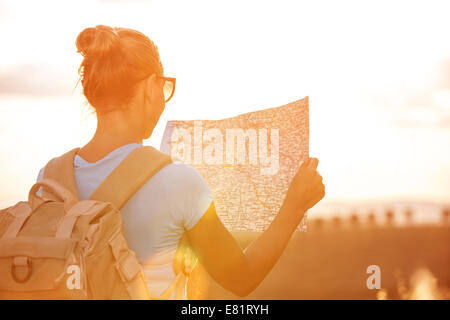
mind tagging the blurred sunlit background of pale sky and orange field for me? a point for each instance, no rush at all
(378, 78)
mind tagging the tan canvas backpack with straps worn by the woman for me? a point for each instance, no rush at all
(57, 247)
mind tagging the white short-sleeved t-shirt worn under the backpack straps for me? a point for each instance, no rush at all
(155, 217)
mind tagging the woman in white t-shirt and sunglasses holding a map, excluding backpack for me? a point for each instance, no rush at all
(122, 78)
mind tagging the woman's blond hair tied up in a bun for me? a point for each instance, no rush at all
(115, 60)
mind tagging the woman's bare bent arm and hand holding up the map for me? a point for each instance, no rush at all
(242, 271)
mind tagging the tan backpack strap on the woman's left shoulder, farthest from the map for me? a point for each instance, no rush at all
(61, 170)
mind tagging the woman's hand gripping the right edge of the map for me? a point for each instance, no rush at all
(306, 189)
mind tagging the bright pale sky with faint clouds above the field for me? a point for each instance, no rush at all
(377, 75)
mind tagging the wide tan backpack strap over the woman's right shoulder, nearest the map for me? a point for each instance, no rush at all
(131, 174)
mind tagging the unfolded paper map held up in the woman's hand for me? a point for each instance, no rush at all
(248, 161)
